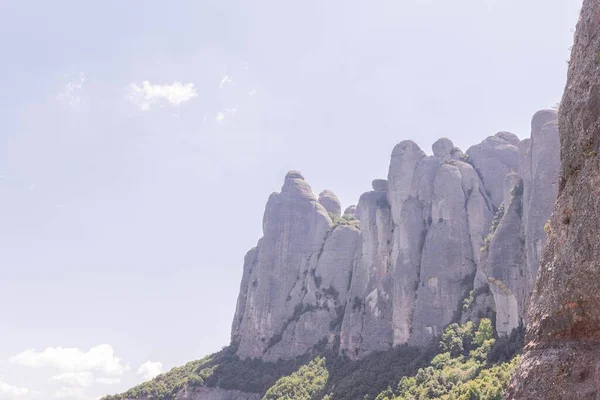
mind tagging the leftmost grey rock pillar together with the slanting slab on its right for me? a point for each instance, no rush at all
(295, 281)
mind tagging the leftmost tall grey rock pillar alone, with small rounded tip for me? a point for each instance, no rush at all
(295, 227)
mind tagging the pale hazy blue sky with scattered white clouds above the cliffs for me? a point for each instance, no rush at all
(140, 140)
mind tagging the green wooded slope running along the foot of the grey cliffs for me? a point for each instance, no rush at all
(466, 364)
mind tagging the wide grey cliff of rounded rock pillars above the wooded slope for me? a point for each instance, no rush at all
(408, 259)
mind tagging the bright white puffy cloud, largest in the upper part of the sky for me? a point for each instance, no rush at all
(148, 95)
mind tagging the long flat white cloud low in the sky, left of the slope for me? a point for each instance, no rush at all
(100, 358)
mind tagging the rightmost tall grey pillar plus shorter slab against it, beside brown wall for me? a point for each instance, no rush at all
(514, 246)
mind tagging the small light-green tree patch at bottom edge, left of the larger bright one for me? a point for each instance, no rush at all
(302, 384)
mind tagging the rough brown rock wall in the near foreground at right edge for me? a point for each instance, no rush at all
(562, 358)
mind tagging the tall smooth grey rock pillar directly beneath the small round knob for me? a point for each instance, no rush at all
(447, 264)
